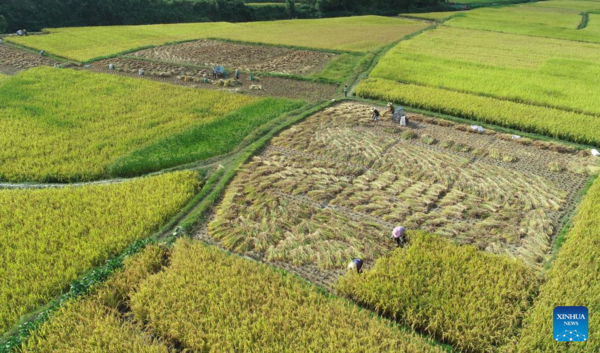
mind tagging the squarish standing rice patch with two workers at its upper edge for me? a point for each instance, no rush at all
(458, 294)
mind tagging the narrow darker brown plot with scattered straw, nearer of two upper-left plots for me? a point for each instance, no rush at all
(263, 86)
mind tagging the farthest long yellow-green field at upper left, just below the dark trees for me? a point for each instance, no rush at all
(358, 34)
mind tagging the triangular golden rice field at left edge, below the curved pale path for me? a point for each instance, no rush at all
(51, 236)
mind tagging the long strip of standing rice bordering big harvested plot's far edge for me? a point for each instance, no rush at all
(557, 123)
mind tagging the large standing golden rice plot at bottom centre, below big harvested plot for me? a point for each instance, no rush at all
(210, 301)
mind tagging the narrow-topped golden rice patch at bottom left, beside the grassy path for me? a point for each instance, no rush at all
(95, 323)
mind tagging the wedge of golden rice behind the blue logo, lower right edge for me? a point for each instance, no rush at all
(573, 280)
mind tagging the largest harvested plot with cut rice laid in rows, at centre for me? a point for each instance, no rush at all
(333, 187)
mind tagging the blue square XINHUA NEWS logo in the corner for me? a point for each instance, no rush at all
(571, 324)
